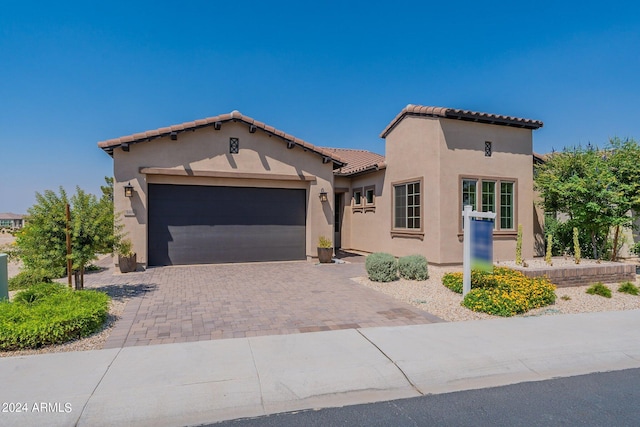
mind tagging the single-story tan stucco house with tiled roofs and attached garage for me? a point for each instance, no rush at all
(232, 189)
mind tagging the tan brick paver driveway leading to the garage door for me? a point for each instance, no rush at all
(204, 302)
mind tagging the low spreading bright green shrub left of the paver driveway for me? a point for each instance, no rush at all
(56, 315)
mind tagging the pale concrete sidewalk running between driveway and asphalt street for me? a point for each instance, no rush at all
(208, 381)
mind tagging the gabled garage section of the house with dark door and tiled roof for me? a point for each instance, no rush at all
(222, 189)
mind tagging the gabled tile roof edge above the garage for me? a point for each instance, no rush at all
(215, 121)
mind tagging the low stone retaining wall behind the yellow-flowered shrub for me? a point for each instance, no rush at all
(580, 275)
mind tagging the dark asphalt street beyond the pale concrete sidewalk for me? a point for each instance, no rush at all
(600, 399)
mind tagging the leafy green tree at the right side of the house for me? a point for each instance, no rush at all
(597, 189)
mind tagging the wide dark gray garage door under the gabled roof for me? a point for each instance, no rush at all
(191, 224)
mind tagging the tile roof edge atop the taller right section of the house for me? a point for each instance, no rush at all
(451, 113)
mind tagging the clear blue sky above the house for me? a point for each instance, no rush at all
(332, 73)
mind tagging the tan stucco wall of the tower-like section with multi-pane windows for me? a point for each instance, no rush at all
(439, 152)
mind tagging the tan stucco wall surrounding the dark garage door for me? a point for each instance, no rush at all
(208, 150)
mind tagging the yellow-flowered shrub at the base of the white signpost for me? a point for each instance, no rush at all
(504, 292)
